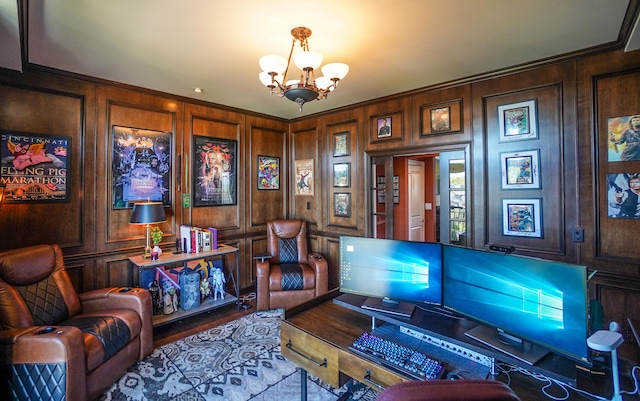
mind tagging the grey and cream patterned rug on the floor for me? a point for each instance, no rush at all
(237, 361)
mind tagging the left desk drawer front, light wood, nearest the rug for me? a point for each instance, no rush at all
(310, 353)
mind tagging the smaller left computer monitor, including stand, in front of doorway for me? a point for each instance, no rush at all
(394, 274)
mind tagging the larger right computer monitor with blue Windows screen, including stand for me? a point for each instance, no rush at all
(527, 306)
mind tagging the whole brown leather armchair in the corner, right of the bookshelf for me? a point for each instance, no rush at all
(288, 275)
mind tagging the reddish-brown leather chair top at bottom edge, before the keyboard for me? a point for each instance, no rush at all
(449, 390)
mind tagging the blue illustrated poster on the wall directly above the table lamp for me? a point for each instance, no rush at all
(141, 166)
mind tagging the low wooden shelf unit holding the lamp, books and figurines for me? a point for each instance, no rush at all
(170, 259)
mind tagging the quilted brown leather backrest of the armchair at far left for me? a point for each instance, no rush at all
(35, 288)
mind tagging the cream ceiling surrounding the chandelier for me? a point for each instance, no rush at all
(391, 46)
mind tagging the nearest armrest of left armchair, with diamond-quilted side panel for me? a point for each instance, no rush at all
(36, 351)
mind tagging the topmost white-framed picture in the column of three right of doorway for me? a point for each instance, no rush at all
(518, 121)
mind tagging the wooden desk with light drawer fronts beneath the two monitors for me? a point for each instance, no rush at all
(316, 337)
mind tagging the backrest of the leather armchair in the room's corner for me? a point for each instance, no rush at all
(287, 241)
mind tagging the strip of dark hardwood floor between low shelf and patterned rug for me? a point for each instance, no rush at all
(182, 328)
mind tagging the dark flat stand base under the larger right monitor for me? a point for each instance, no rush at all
(524, 351)
